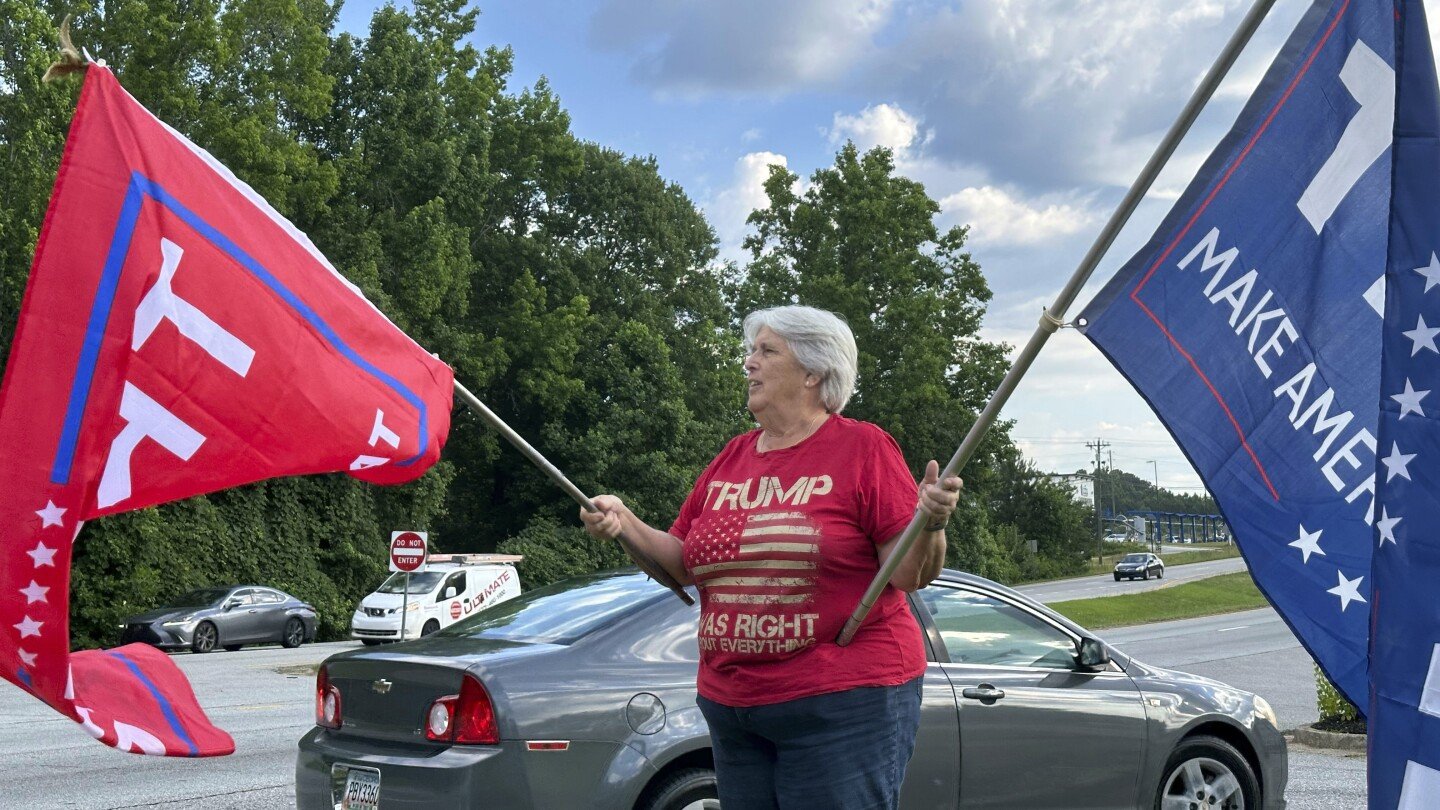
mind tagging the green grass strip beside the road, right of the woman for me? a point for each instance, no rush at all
(1228, 593)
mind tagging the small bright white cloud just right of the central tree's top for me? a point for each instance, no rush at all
(1000, 218)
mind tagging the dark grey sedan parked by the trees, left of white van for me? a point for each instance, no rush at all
(230, 616)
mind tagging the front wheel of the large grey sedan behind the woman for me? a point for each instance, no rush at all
(1207, 772)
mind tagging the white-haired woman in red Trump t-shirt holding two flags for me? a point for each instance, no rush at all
(783, 535)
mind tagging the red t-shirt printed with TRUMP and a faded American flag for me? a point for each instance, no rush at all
(783, 546)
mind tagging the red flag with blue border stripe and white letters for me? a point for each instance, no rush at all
(178, 338)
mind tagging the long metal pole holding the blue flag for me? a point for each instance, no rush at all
(1052, 319)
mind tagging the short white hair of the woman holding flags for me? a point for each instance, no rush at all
(822, 344)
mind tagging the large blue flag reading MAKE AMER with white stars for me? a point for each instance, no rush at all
(1278, 325)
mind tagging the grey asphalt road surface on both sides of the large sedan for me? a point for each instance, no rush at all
(266, 697)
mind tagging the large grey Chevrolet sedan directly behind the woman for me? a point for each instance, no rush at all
(582, 694)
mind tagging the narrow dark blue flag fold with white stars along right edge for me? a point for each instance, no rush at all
(1405, 652)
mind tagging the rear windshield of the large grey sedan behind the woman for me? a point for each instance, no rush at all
(564, 612)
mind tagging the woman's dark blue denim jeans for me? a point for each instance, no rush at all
(845, 752)
